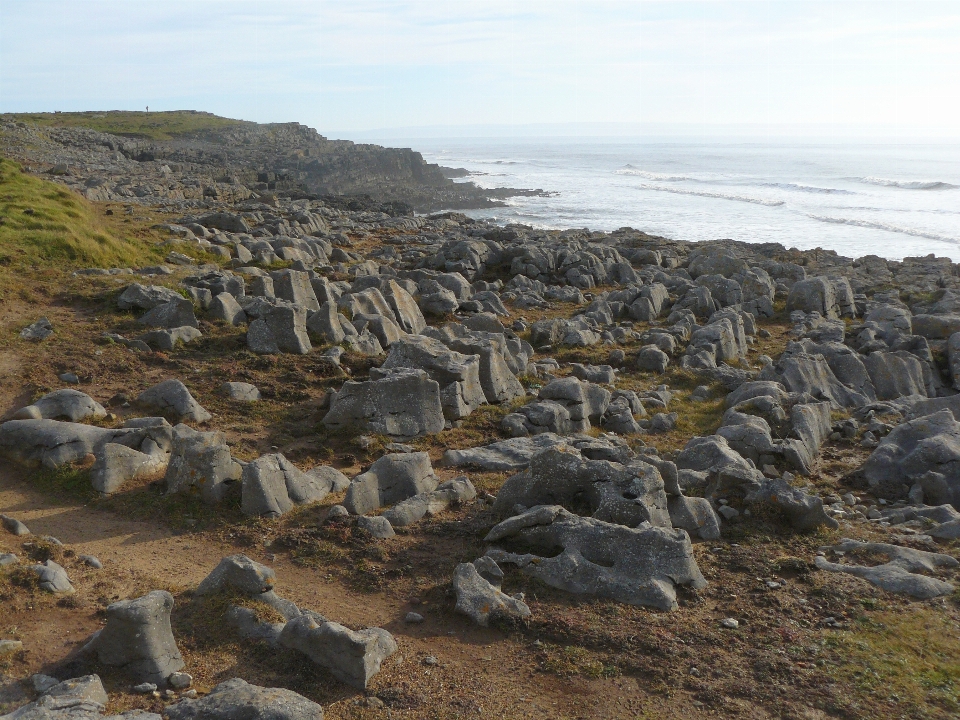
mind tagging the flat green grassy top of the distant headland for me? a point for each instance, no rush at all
(146, 125)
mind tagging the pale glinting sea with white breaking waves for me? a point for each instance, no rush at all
(892, 200)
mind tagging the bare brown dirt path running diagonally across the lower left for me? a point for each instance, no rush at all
(478, 670)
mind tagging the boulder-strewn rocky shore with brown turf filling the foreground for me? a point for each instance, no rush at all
(698, 476)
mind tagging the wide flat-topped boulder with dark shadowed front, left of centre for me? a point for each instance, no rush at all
(403, 403)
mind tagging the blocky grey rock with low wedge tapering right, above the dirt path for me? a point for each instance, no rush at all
(272, 485)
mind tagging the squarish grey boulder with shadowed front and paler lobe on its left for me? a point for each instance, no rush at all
(391, 479)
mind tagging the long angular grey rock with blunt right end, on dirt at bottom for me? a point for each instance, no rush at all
(353, 657)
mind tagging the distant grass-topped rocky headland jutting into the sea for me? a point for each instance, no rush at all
(200, 158)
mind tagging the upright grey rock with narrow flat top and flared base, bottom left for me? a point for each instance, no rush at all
(138, 638)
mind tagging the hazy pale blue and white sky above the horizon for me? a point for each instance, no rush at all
(353, 65)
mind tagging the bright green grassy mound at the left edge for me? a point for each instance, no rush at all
(43, 224)
